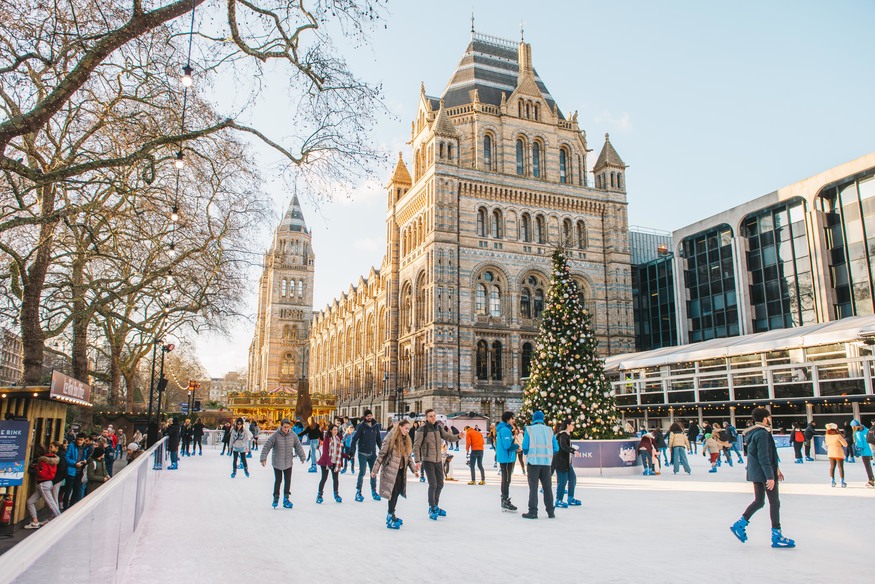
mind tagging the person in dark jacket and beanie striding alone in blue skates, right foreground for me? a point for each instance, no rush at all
(763, 472)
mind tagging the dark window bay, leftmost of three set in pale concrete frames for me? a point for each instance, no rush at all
(709, 278)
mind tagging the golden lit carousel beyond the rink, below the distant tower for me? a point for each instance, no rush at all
(269, 407)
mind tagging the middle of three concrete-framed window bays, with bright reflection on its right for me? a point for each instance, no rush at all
(779, 267)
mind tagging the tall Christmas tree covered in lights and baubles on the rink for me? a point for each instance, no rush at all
(567, 375)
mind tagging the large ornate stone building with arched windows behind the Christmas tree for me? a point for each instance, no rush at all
(450, 319)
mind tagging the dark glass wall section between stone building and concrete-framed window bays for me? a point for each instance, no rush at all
(653, 304)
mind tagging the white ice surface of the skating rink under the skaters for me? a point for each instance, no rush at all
(206, 527)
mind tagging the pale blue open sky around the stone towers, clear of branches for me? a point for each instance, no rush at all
(710, 104)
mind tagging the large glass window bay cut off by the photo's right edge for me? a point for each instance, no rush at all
(849, 210)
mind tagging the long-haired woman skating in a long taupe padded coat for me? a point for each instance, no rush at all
(392, 463)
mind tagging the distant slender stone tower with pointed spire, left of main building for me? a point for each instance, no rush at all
(278, 352)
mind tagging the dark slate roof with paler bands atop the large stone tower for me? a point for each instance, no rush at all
(491, 66)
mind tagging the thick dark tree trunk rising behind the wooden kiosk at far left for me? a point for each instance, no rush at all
(32, 335)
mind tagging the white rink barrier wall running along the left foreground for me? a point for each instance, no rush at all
(94, 539)
